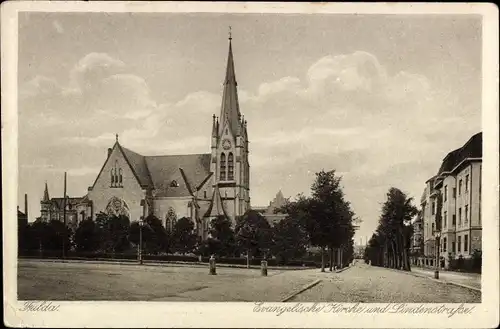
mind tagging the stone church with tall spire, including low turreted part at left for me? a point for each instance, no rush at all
(197, 186)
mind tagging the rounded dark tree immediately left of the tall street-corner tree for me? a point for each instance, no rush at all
(289, 240)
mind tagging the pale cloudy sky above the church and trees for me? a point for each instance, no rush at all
(381, 99)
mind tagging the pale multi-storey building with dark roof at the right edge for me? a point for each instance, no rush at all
(459, 182)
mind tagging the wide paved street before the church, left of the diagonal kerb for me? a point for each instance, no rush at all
(40, 280)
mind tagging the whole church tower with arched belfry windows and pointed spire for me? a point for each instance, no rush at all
(230, 148)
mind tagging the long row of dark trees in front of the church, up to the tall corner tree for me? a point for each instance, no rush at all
(324, 220)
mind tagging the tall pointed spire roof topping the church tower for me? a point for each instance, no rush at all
(230, 108)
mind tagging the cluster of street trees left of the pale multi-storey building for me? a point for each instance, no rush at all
(390, 244)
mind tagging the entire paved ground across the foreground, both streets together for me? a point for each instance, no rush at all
(91, 281)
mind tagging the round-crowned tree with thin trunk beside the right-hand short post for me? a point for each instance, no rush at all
(253, 233)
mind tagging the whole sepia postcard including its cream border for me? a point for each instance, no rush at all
(259, 157)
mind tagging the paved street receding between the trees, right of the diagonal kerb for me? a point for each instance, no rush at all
(370, 284)
